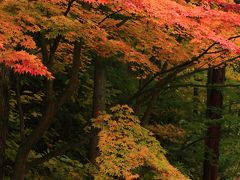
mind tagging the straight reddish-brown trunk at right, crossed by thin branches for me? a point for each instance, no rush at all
(214, 111)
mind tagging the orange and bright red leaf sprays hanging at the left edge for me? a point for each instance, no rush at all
(21, 62)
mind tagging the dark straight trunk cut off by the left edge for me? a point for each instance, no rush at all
(4, 89)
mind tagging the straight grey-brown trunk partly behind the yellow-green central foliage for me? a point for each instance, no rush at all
(99, 99)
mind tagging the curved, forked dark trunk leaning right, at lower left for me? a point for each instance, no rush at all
(53, 105)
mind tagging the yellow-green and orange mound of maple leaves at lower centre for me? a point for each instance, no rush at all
(125, 146)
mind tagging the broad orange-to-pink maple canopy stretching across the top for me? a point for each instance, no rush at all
(168, 30)
